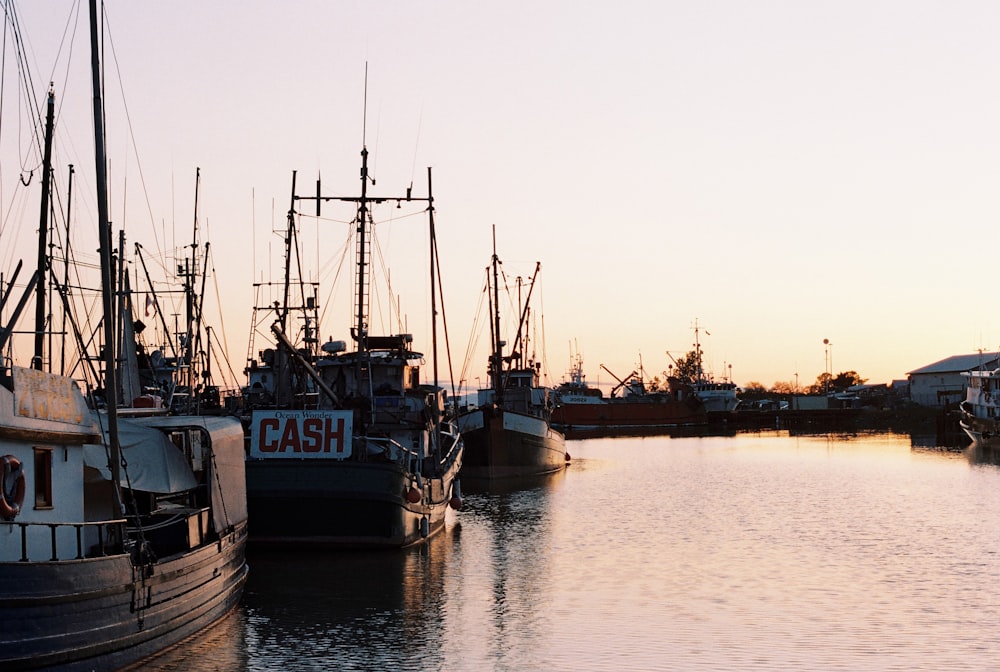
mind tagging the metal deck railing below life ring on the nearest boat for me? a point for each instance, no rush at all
(109, 535)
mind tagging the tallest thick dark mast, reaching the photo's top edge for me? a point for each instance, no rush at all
(107, 277)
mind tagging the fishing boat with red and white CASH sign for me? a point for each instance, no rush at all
(347, 447)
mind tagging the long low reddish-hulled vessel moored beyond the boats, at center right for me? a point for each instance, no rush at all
(582, 410)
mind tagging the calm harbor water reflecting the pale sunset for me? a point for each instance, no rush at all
(747, 552)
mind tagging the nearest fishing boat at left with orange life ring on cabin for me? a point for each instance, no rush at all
(119, 536)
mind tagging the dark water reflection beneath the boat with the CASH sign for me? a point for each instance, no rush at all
(349, 609)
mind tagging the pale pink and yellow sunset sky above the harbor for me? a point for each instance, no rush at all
(779, 172)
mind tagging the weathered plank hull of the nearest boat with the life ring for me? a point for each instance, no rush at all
(100, 613)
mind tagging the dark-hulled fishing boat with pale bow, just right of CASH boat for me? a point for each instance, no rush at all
(508, 434)
